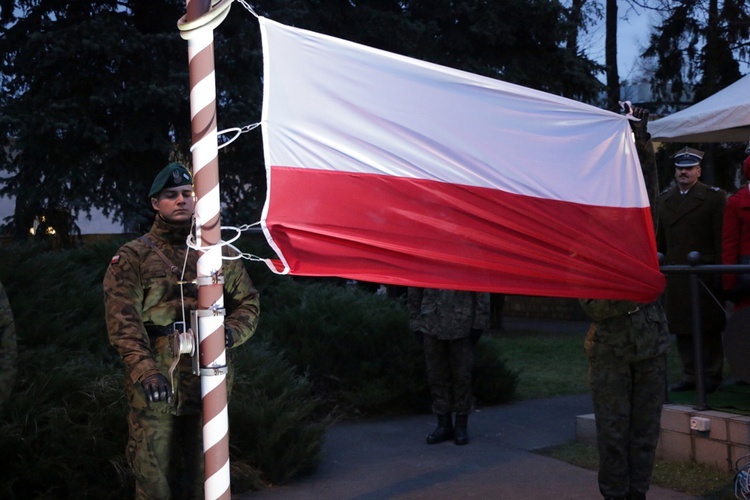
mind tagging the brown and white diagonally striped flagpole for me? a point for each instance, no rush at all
(197, 28)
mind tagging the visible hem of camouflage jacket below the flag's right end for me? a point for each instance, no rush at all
(625, 331)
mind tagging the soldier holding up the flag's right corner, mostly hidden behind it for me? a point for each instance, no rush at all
(627, 349)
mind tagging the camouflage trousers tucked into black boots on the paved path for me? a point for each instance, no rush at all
(449, 367)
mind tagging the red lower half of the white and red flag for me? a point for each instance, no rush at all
(415, 232)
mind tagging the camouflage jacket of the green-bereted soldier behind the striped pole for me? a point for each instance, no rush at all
(140, 289)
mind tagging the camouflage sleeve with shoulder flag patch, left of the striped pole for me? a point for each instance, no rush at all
(123, 306)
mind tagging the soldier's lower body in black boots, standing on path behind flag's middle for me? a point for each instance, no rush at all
(449, 322)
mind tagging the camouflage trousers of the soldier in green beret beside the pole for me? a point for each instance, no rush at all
(165, 453)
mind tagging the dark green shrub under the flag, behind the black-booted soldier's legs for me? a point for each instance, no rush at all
(356, 348)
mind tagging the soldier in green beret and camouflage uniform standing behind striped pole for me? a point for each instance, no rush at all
(144, 298)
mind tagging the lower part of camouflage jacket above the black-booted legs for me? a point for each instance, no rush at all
(447, 314)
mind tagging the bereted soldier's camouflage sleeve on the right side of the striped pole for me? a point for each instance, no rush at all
(241, 300)
